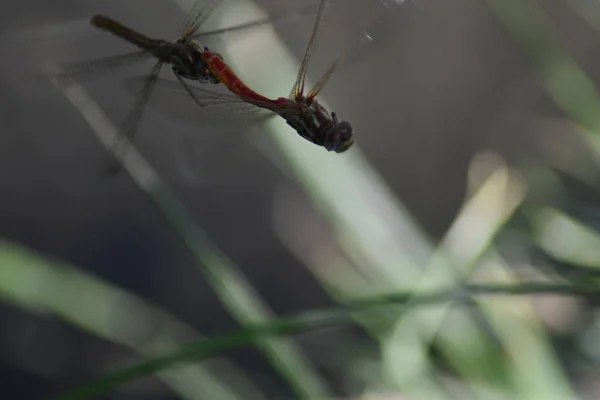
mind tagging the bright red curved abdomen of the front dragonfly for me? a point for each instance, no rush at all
(228, 78)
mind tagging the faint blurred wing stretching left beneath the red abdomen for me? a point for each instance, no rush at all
(212, 106)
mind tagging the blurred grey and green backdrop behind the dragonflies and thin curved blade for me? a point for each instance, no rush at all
(476, 162)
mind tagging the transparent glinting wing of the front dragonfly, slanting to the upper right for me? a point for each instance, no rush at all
(386, 14)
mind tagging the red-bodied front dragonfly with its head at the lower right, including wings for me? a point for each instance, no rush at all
(301, 110)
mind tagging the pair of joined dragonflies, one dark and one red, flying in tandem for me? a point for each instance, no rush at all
(191, 61)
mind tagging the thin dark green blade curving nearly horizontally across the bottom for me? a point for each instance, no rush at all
(314, 320)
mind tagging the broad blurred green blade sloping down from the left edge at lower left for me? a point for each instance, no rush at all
(40, 285)
